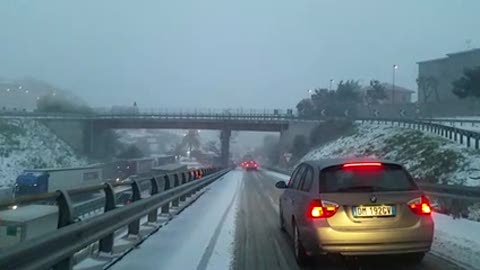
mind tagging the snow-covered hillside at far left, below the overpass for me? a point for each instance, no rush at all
(27, 144)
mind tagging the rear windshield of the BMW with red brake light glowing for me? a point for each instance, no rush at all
(387, 177)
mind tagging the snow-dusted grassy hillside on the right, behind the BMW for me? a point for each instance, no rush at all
(426, 155)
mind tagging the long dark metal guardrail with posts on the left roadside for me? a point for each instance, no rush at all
(57, 250)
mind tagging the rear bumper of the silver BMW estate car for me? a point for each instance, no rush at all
(323, 240)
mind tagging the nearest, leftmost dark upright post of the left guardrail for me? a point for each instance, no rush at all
(65, 218)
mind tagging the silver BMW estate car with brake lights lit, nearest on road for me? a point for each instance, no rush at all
(355, 208)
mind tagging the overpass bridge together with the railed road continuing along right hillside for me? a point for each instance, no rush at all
(86, 132)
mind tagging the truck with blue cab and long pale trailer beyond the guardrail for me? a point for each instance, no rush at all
(46, 180)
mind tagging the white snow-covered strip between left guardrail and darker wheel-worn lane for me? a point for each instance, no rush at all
(198, 238)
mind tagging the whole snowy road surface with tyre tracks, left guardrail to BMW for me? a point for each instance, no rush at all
(234, 225)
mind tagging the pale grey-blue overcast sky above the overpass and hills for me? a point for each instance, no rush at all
(224, 53)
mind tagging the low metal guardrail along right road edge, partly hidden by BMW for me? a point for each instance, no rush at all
(437, 190)
